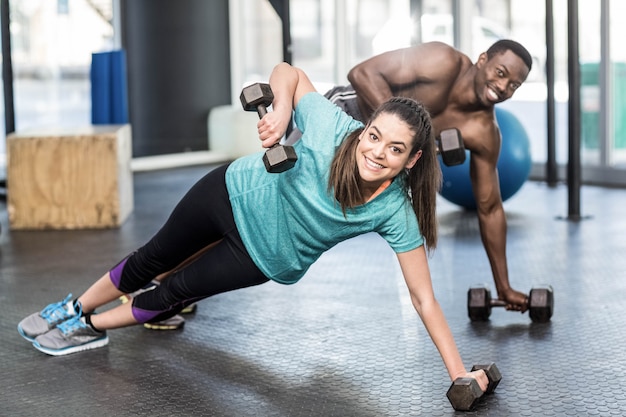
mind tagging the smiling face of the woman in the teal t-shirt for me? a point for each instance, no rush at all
(384, 150)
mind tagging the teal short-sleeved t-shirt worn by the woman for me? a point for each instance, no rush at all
(287, 220)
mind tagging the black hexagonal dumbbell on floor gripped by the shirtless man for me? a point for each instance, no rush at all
(540, 303)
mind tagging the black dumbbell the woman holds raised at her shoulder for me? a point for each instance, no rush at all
(258, 97)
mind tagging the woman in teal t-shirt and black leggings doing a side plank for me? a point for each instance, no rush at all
(349, 179)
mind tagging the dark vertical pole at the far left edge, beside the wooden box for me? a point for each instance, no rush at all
(7, 67)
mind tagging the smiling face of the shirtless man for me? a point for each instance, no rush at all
(499, 77)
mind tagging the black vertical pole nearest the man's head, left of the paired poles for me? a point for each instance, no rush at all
(551, 165)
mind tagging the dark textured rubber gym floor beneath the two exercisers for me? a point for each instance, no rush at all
(344, 341)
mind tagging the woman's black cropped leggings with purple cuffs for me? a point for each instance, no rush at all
(203, 217)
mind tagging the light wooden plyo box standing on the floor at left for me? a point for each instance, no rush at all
(76, 178)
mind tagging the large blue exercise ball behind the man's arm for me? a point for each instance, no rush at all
(513, 165)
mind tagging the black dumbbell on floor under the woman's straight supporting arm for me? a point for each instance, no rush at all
(464, 393)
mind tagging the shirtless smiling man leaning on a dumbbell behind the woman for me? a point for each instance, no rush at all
(461, 94)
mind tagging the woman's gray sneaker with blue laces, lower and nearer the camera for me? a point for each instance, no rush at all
(73, 335)
